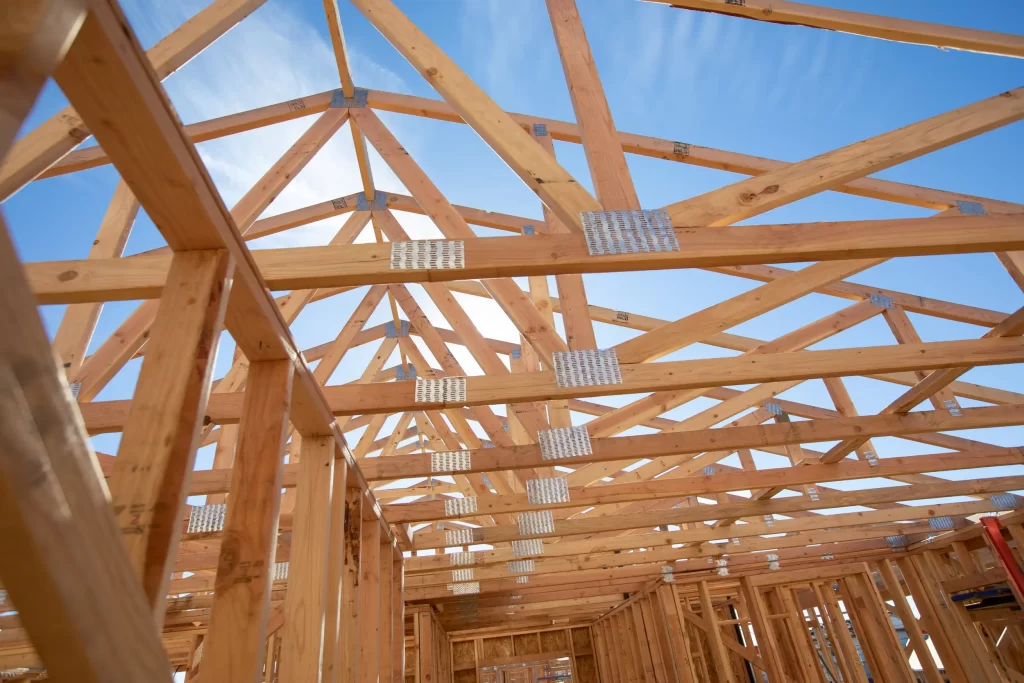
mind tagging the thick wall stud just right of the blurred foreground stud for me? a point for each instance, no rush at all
(158, 447)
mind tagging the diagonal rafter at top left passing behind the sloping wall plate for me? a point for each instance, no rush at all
(47, 145)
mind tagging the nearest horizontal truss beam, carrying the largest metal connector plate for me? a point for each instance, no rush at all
(312, 268)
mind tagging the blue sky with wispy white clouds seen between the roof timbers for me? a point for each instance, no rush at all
(782, 93)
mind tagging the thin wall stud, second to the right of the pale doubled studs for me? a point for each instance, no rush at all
(370, 599)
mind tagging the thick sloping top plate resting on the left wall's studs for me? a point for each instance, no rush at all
(106, 66)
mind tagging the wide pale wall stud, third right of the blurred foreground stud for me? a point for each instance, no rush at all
(306, 602)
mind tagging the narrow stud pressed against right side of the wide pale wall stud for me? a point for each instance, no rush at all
(335, 567)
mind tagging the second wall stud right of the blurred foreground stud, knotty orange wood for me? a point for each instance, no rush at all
(238, 625)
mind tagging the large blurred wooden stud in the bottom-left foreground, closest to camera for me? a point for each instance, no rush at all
(62, 559)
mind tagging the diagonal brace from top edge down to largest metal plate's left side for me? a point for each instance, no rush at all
(541, 174)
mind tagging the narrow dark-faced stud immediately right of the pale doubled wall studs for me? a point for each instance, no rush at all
(349, 626)
